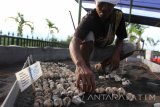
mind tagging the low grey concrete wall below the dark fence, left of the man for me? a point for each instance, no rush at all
(15, 54)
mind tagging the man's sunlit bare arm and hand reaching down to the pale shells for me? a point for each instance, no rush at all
(83, 72)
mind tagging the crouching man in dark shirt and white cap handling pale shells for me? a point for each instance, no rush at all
(93, 39)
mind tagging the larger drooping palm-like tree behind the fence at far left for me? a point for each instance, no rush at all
(19, 19)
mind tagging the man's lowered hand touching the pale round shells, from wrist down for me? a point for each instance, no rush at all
(85, 79)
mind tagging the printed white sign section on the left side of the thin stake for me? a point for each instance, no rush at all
(24, 79)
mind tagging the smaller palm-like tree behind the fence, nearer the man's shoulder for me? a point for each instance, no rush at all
(52, 28)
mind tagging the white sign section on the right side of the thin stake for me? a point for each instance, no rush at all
(35, 70)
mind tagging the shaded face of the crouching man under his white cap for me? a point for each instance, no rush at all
(104, 9)
